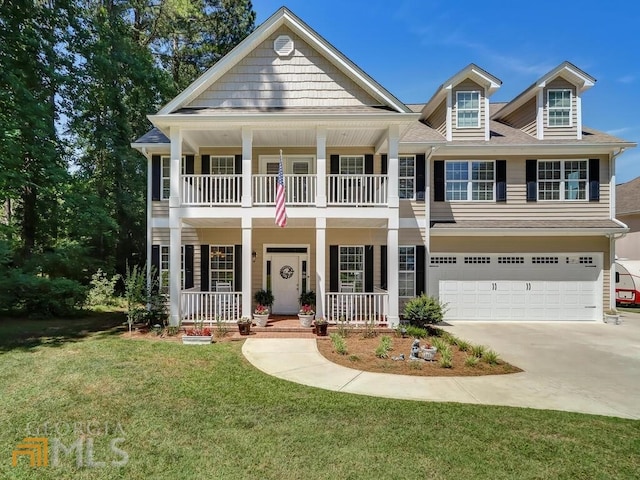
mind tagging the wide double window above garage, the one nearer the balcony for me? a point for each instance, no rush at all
(470, 180)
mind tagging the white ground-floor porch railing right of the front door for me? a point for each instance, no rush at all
(357, 308)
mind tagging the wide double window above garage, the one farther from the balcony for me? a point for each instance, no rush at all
(562, 179)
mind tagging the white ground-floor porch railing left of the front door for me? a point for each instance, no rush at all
(209, 307)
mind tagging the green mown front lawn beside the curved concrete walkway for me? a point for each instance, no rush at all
(205, 412)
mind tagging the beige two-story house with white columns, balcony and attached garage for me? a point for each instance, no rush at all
(503, 210)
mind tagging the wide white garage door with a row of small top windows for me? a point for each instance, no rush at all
(534, 286)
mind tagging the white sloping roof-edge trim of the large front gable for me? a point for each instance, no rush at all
(285, 17)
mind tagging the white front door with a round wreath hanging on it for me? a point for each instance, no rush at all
(285, 281)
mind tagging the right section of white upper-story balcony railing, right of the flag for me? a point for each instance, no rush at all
(360, 190)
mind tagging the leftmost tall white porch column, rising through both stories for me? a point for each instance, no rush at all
(175, 226)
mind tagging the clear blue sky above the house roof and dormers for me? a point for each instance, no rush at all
(412, 46)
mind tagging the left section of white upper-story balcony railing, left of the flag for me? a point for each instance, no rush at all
(211, 189)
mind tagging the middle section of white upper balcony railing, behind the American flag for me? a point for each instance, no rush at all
(299, 189)
